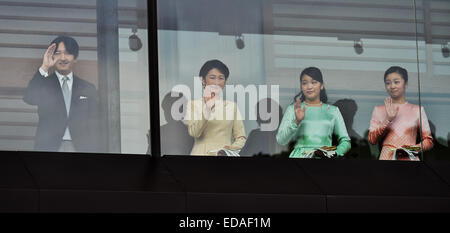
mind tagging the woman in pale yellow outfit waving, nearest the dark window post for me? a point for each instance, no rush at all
(212, 121)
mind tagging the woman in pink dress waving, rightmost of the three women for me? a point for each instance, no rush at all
(397, 122)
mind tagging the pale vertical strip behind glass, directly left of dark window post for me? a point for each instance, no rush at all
(134, 79)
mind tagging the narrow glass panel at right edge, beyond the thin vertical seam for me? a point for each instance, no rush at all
(435, 78)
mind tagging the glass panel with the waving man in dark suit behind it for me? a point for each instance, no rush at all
(106, 103)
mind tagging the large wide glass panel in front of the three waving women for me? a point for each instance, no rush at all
(266, 45)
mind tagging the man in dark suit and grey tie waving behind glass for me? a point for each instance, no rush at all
(67, 105)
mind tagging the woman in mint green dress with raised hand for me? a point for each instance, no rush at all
(310, 121)
